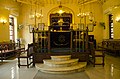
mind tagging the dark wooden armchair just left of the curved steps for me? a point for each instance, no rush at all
(28, 57)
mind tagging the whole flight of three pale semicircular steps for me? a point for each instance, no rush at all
(61, 65)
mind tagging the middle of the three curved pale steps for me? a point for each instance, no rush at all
(67, 63)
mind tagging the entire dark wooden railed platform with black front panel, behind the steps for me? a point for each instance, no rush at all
(60, 39)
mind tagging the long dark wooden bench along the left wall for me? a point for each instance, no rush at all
(8, 50)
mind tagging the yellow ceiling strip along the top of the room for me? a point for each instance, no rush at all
(44, 2)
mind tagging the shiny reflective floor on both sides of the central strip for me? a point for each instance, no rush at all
(10, 70)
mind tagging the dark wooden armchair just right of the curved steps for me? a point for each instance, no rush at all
(96, 53)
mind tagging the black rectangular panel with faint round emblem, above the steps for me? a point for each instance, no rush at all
(60, 39)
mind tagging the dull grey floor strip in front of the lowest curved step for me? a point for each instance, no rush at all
(77, 75)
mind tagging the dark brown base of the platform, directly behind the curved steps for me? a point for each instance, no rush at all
(82, 56)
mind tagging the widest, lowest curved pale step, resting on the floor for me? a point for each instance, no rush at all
(62, 70)
